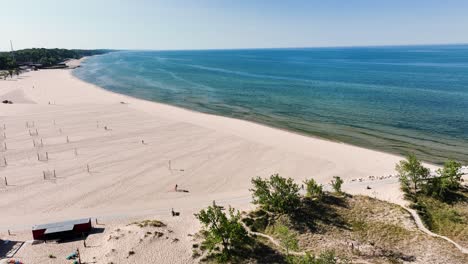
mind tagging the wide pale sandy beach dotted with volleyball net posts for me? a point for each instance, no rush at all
(137, 151)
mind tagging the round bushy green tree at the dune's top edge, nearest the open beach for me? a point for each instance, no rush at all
(276, 195)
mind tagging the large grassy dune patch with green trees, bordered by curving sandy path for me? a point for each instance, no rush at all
(319, 227)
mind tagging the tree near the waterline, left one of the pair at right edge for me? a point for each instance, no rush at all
(411, 173)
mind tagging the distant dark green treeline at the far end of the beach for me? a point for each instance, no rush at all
(46, 57)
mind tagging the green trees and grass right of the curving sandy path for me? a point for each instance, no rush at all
(441, 200)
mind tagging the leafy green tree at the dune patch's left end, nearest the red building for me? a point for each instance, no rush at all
(223, 230)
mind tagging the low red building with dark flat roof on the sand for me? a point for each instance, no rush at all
(62, 230)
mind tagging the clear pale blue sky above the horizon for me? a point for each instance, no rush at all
(206, 24)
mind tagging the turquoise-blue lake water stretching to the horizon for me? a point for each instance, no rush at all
(394, 99)
